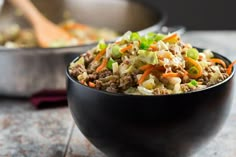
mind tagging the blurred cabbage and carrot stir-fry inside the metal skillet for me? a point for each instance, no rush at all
(16, 37)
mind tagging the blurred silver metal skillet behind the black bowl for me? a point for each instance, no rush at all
(29, 70)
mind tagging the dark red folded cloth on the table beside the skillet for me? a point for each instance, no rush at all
(49, 98)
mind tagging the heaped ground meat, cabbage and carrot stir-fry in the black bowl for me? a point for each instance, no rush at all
(154, 64)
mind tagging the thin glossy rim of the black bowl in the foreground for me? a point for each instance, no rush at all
(70, 78)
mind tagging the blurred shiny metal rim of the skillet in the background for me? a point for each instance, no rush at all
(156, 26)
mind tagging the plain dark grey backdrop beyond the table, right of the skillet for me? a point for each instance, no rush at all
(198, 14)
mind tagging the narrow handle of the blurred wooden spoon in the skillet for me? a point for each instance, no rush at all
(29, 10)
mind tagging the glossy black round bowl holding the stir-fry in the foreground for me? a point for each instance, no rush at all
(153, 126)
